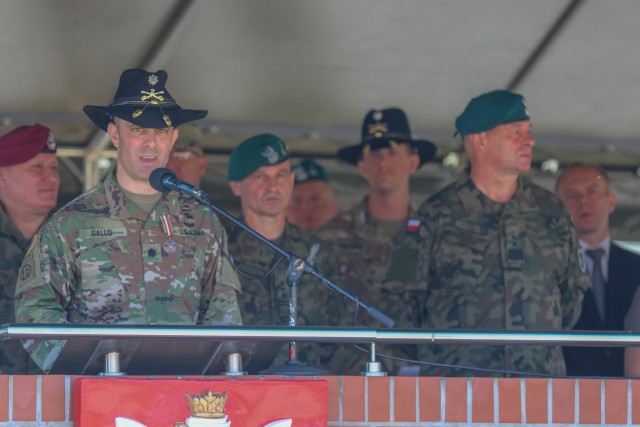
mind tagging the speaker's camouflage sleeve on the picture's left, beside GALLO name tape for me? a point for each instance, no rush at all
(43, 291)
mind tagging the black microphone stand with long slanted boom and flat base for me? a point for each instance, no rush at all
(295, 269)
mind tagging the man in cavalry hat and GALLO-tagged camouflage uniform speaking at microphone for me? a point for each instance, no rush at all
(123, 253)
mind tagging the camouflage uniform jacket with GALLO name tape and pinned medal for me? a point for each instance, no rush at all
(102, 260)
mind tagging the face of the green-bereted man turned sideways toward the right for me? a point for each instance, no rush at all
(510, 147)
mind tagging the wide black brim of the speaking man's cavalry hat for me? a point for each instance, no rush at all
(152, 117)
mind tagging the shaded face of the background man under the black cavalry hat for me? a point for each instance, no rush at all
(388, 169)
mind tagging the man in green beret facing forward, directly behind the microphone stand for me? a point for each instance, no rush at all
(260, 174)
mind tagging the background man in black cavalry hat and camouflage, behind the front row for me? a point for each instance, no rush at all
(386, 157)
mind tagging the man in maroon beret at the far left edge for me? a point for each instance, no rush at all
(29, 185)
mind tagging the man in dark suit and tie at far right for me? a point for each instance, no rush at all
(586, 193)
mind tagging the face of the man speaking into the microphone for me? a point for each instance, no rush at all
(140, 151)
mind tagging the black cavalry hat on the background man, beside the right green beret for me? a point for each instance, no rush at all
(386, 128)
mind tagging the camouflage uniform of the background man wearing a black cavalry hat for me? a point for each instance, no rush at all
(363, 246)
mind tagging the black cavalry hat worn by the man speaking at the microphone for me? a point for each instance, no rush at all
(143, 100)
